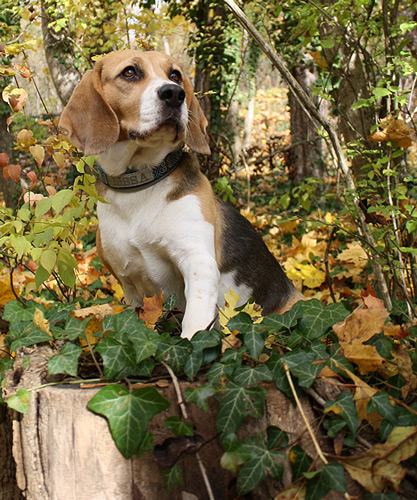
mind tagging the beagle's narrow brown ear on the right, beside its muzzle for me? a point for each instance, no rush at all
(197, 123)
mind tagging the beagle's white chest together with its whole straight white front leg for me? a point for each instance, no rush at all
(165, 240)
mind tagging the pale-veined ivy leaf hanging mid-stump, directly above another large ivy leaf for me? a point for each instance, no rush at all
(235, 403)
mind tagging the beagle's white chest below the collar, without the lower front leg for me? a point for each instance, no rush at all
(148, 240)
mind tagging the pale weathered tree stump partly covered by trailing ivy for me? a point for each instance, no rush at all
(65, 452)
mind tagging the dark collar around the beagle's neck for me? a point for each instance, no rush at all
(135, 180)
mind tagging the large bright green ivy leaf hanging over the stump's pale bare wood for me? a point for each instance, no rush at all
(128, 413)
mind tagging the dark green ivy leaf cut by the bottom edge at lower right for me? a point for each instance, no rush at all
(330, 477)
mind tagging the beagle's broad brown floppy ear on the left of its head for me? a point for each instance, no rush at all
(87, 119)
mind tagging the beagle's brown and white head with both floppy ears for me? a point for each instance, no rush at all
(145, 97)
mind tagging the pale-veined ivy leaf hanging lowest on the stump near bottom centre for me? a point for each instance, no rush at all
(261, 463)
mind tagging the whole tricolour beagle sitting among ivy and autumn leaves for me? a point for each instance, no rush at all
(162, 229)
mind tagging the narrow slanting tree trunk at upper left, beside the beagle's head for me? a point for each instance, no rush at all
(64, 75)
